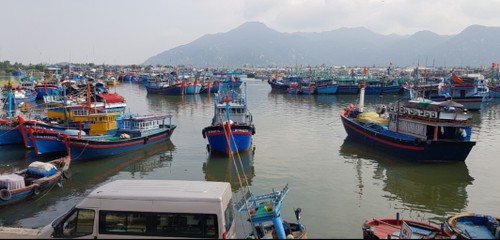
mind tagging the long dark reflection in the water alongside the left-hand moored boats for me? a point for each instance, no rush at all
(86, 176)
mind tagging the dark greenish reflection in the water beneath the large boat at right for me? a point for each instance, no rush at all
(436, 188)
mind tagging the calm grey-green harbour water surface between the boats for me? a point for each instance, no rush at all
(299, 140)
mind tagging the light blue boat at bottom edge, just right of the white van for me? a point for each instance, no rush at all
(264, 211)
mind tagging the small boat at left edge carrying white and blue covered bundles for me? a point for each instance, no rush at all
(33, 181)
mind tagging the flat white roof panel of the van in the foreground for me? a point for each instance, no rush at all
(172, 190)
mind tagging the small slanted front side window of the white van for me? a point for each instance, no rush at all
(79, 223)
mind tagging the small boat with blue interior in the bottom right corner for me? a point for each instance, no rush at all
(473, 226)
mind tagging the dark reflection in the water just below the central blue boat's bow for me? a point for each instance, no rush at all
(222, 168)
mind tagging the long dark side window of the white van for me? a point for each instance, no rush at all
(189, 225)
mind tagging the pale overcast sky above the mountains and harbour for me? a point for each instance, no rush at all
(126, 32)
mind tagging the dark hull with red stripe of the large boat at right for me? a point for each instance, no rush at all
(412, 149)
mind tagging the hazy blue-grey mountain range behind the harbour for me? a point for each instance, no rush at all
(255, 44)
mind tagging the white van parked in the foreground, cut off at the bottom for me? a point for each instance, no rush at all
(149, 209)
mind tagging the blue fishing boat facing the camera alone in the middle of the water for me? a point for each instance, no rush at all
(231, 120)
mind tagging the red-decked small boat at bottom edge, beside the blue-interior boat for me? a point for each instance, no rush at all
(396, 228)
